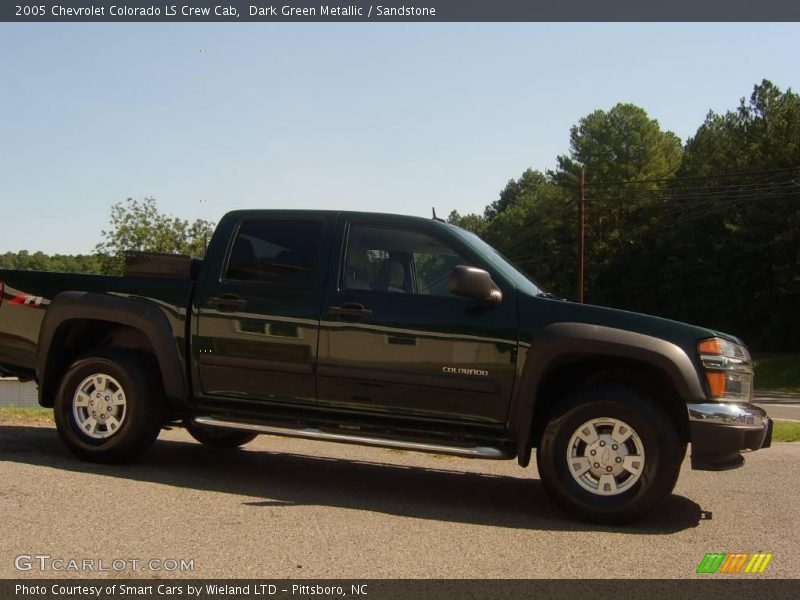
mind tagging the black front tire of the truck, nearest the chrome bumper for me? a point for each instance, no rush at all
(657, 435)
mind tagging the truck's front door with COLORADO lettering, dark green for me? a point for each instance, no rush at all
(395, 340)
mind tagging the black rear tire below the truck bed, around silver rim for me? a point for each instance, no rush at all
(140, 418)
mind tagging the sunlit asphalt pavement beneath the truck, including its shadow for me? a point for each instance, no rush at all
(290, 508)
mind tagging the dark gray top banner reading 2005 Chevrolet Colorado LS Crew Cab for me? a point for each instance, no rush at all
(241, 11)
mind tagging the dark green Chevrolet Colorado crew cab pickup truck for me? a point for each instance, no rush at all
(381, 330)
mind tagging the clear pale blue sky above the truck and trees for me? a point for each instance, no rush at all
(382, 117)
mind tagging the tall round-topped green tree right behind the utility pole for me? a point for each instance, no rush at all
(627, 159)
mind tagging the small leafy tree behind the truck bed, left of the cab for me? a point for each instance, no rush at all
(139, 225)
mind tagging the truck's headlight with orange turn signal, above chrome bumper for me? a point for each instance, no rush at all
(729, 370)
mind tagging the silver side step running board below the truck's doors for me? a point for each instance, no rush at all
(316, 434)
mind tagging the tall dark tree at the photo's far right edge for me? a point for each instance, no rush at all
(745, 165)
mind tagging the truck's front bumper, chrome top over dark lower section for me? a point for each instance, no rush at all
(720, 432)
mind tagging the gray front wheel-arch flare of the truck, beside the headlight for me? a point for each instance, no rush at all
(563, 342)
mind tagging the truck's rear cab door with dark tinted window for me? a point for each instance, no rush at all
(258, 314)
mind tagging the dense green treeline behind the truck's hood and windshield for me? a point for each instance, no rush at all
(706, 232)
